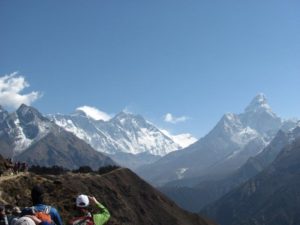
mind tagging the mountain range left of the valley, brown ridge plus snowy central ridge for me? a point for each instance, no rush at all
(47, 140)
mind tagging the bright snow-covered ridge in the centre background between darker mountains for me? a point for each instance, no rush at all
(124, 133)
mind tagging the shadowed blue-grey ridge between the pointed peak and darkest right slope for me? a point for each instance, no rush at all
(194, 193)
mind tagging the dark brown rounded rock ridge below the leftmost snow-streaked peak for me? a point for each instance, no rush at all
(65, 150)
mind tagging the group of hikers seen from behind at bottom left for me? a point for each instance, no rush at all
(90, 212)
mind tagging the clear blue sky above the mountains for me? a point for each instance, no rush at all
(192, 59)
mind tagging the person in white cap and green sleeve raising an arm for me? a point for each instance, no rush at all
(91, 212)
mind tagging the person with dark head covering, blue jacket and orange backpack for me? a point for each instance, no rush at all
(40, 209)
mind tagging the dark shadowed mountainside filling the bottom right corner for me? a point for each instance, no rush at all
(270, 198)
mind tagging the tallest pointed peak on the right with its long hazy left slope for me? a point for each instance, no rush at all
(223, 150)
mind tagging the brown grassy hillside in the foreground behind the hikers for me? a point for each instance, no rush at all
(130, 200)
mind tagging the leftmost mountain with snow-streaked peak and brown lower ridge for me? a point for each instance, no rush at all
(28, 136)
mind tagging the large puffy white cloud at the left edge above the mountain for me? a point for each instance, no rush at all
(11, 87)
